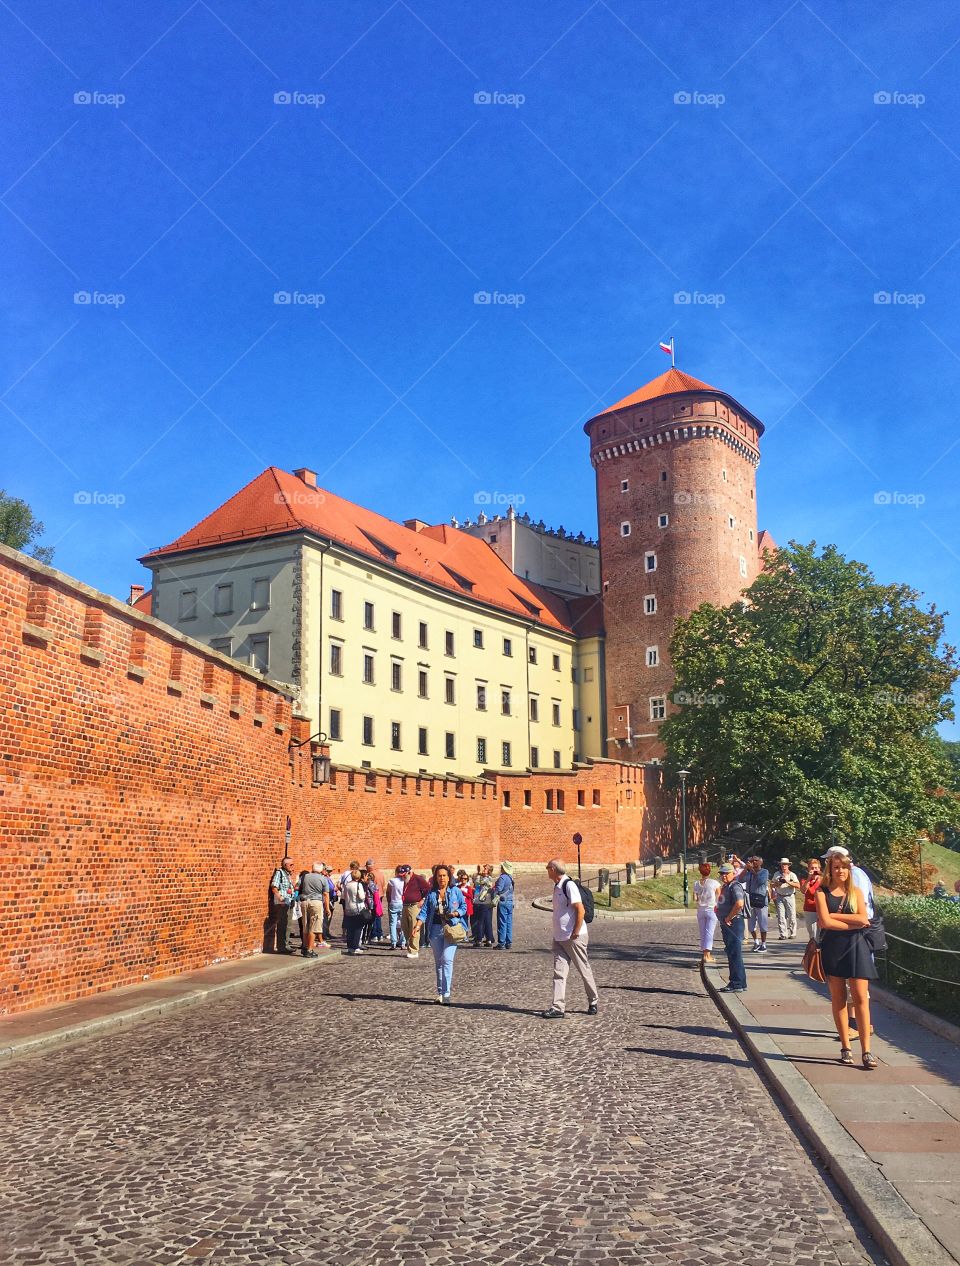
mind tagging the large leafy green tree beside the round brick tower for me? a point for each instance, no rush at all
(816, 694)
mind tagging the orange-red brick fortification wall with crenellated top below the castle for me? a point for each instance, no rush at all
(146, 784)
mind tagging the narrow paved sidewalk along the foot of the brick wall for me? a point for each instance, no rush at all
(26, 1032)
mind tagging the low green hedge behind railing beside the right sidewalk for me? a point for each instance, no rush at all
(909, 969)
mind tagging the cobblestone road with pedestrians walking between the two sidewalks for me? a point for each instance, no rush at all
(344, 1117)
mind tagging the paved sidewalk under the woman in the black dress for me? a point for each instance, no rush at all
(894, 1132)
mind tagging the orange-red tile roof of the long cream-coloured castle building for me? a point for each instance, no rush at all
(278, 502)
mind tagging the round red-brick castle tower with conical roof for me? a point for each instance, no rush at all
(676, 470)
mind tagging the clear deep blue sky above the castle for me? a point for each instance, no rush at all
(587, 163)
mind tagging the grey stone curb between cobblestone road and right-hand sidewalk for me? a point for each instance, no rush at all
(902, 1235)
